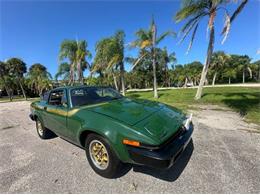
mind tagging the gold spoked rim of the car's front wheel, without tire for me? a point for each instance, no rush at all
(98, 154)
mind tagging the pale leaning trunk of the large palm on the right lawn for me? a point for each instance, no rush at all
(206, 66)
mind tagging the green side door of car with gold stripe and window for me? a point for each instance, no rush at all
(56, 112)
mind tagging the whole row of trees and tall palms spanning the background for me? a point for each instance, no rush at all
(152, 67)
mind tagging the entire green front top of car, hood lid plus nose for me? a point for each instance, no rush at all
(156, 120)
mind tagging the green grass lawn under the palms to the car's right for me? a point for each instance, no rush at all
(245, 100)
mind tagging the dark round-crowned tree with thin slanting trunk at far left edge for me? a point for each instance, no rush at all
(16, 69)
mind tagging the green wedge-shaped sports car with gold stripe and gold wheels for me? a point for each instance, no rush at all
(113, 129)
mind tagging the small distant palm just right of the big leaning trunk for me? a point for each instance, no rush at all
(218, 61)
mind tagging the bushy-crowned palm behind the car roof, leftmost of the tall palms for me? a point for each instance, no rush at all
(75, 52)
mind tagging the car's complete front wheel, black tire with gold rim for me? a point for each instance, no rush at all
(101, 156)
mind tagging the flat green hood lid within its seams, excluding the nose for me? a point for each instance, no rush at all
(127, 110)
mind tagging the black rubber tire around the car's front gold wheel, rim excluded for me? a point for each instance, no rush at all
(114, 164)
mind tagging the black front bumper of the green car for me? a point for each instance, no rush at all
(166, 154)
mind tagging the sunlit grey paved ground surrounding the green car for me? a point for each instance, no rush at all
(220, 160)
